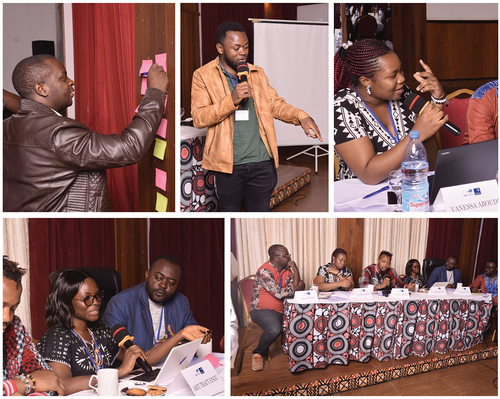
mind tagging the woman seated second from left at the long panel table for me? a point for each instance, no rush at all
(335, 276)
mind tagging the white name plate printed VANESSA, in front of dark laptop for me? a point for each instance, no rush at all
(472, 197)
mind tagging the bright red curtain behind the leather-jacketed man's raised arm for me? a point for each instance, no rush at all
(105, 76)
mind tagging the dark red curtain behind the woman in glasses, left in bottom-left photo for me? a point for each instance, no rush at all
(64, 244)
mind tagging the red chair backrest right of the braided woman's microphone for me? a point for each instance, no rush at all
(457, 110)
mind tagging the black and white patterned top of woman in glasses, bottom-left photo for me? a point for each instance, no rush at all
(63, 346)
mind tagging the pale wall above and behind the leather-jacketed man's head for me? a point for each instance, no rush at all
(22, 24)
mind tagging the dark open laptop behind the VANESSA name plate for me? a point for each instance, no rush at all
(465, 164)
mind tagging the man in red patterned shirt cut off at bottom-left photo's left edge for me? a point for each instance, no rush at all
(24, 370)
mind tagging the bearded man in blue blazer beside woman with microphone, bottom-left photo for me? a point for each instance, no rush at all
(154, 310)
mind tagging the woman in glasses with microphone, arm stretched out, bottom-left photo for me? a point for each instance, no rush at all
(77, 343)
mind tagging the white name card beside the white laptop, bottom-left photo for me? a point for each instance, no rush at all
(201, 378)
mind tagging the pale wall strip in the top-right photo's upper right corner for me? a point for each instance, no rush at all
(462, 12)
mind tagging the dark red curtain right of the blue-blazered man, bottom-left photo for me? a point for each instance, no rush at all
(199, 246)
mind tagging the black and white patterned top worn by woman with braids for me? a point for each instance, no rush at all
(353, 120)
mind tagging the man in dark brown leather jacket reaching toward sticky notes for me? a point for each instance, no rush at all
(53, 163)
